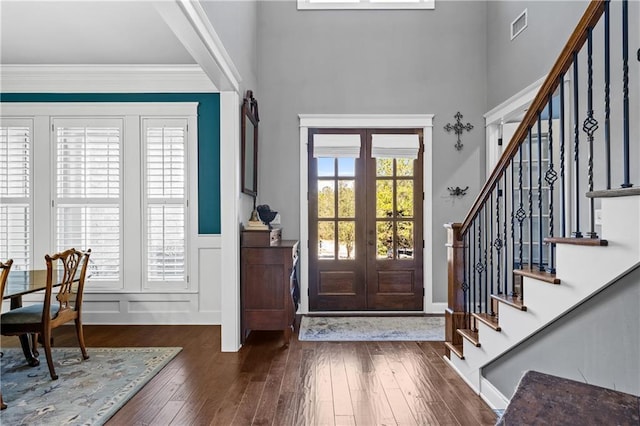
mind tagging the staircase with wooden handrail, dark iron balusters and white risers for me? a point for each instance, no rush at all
(522, 257)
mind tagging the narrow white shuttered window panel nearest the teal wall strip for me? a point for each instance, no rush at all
(165, 148)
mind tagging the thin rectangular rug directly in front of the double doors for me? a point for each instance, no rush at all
(365, 328)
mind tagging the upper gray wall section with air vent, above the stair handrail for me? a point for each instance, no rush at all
(513, 65)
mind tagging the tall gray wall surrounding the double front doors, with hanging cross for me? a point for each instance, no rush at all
(373, 62)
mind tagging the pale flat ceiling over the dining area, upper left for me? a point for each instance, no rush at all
(87, 32)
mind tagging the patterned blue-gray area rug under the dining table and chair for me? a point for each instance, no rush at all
(87, 392)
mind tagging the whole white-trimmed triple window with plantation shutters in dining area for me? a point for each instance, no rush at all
(112, 177)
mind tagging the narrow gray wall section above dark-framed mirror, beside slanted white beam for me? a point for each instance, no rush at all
(235, 23)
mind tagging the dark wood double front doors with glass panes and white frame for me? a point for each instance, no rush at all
(365, 225)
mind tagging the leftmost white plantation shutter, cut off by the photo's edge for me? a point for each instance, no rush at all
(15, 192)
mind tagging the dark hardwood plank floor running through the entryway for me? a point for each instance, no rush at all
(308, 383)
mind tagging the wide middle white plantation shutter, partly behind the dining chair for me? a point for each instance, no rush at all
(88, 191)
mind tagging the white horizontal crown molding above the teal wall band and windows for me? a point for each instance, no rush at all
(104, 79)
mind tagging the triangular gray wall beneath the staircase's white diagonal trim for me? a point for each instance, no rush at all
(598, 343)
